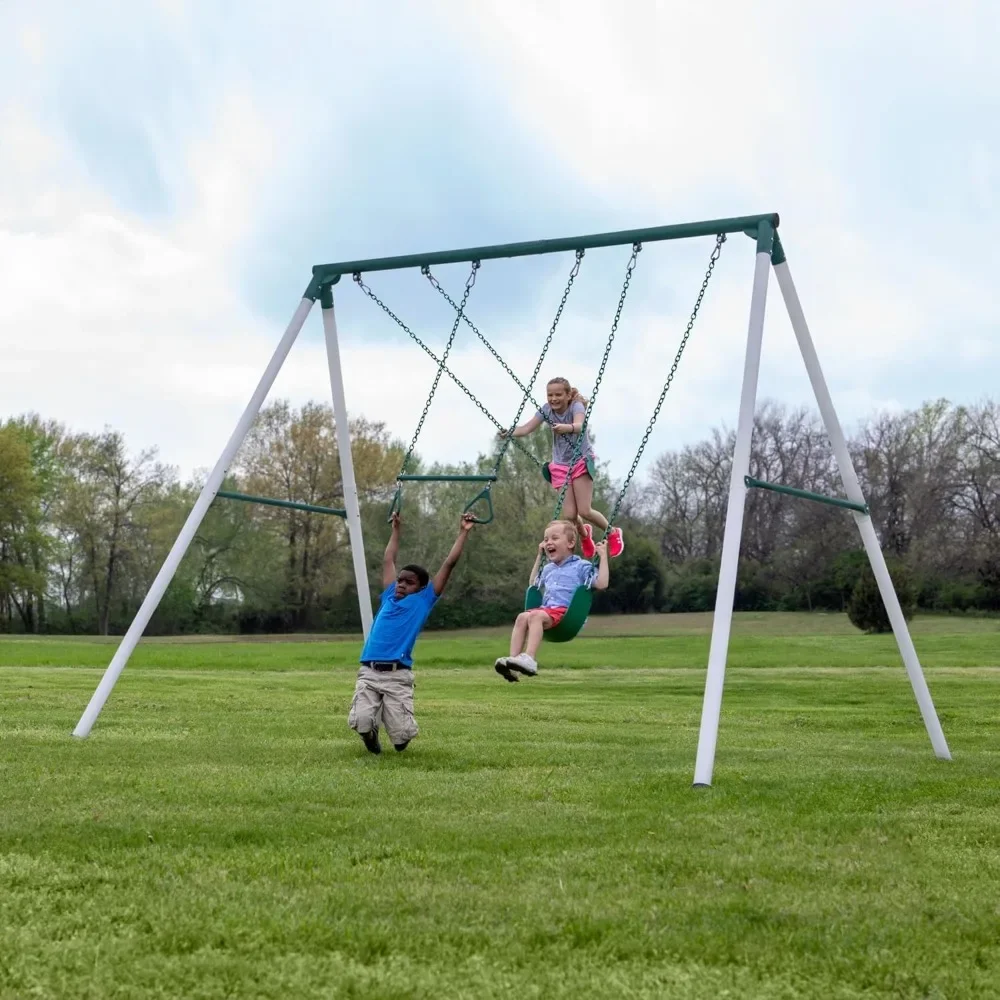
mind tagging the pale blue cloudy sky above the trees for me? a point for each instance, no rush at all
(171, 170)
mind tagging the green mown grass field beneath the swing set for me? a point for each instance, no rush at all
(223, 834)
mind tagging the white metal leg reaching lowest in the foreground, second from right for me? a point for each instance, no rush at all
(724, 596)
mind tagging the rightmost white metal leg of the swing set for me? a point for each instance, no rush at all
(853, 489)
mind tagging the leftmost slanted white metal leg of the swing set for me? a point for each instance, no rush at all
(194, 519)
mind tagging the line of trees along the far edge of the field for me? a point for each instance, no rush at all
(85, 524)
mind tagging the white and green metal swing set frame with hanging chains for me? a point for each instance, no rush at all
(770, 254)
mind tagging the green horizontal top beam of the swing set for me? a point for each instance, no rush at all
(323, 274)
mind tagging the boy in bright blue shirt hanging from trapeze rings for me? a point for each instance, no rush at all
(384, 691)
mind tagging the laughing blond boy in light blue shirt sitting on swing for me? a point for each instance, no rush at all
(564, 572)
